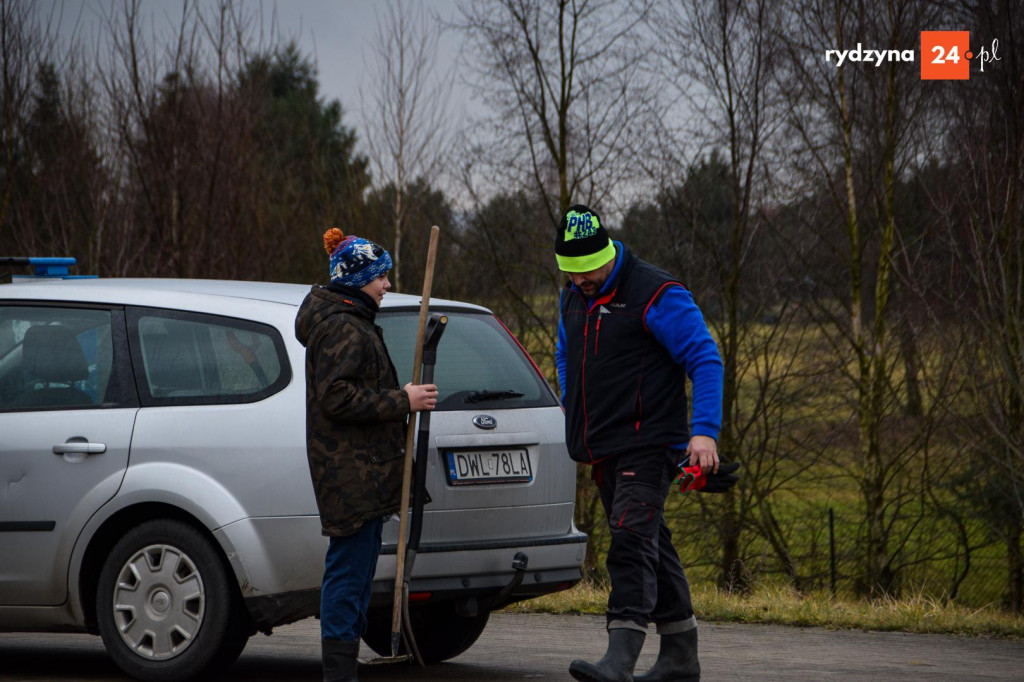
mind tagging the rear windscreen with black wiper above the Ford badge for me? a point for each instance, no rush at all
(479, 363)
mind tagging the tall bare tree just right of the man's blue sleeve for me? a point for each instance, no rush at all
(723, 58)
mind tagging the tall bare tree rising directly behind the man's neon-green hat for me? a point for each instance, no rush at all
(570, 99)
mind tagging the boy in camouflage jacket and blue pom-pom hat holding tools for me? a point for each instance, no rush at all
(356, 428)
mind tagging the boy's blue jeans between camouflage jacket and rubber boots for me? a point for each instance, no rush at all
(349, 574)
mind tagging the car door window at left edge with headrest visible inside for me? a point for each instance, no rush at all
(62, 359)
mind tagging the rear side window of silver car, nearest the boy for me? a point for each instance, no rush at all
(192, 359)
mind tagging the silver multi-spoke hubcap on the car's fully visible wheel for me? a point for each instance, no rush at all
(159, 603)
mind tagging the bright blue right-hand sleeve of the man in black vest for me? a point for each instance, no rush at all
(678, 325)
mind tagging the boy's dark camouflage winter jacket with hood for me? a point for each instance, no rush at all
(356, 412)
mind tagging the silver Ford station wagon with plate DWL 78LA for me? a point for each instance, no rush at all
(154, 486)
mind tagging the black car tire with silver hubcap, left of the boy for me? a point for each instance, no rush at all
(167, 607)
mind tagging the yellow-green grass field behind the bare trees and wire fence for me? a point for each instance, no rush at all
(946, 522)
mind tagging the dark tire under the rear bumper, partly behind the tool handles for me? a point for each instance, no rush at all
(441, 632)
